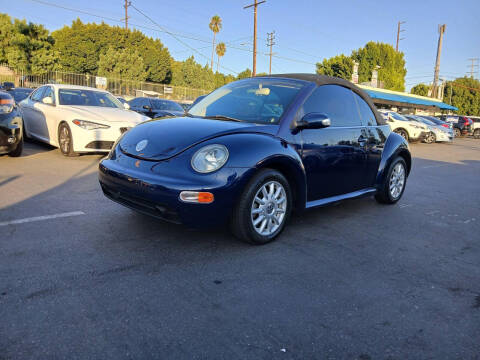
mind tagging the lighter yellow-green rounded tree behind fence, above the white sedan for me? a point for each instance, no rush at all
(122, 64)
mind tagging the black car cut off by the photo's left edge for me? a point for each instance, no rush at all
(11, 131)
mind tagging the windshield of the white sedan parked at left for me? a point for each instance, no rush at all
(79, 97)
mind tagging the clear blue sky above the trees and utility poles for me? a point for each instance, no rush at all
(306, 31)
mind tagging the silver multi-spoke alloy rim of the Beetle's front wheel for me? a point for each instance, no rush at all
(269, 208)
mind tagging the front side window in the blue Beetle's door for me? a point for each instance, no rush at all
(336, 102)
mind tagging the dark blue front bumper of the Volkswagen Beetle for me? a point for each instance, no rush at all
(153, 188)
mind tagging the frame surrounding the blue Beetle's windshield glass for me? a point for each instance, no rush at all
(301, 84)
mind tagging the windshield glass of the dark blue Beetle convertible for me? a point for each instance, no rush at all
(259, 100)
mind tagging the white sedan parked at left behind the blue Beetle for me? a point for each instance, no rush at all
(77, 119)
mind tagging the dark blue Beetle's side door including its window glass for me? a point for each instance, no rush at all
(334, 157)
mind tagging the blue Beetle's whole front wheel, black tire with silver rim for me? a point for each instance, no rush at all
(245, 223)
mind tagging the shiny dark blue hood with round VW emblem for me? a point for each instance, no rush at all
(165, 138)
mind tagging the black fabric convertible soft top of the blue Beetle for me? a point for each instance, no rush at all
(329, 80)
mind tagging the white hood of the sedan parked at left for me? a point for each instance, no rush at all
(104, 114)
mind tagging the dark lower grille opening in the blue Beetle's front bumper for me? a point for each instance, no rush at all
(144, 206)
